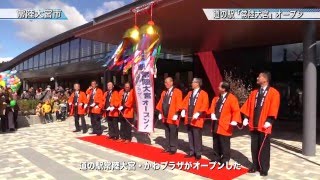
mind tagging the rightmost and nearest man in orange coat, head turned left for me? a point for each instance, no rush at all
(260, 110)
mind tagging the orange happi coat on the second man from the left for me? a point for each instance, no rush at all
(98, 100)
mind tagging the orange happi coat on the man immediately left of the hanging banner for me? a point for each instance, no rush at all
(128, 111)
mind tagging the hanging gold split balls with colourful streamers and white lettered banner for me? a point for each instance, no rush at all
(139, 50)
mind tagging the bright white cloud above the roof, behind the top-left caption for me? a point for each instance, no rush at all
(37, 31)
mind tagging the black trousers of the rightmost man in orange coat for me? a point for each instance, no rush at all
(260, 150)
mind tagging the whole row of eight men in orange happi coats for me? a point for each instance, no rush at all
(259, 112)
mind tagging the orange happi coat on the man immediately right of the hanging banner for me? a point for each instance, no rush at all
(174, 107)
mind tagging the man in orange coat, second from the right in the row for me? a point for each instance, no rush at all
(225, 113)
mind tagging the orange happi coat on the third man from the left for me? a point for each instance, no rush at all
(114, 102)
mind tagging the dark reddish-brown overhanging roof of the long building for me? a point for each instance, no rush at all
(185, 28)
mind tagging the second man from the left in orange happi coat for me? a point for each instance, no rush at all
(95, 103)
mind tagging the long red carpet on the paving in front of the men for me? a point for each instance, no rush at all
(154, 154)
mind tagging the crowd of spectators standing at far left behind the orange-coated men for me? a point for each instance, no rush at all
(49, 101)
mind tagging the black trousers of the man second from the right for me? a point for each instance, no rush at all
(221, 148)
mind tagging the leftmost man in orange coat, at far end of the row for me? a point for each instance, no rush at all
(78, 103)
